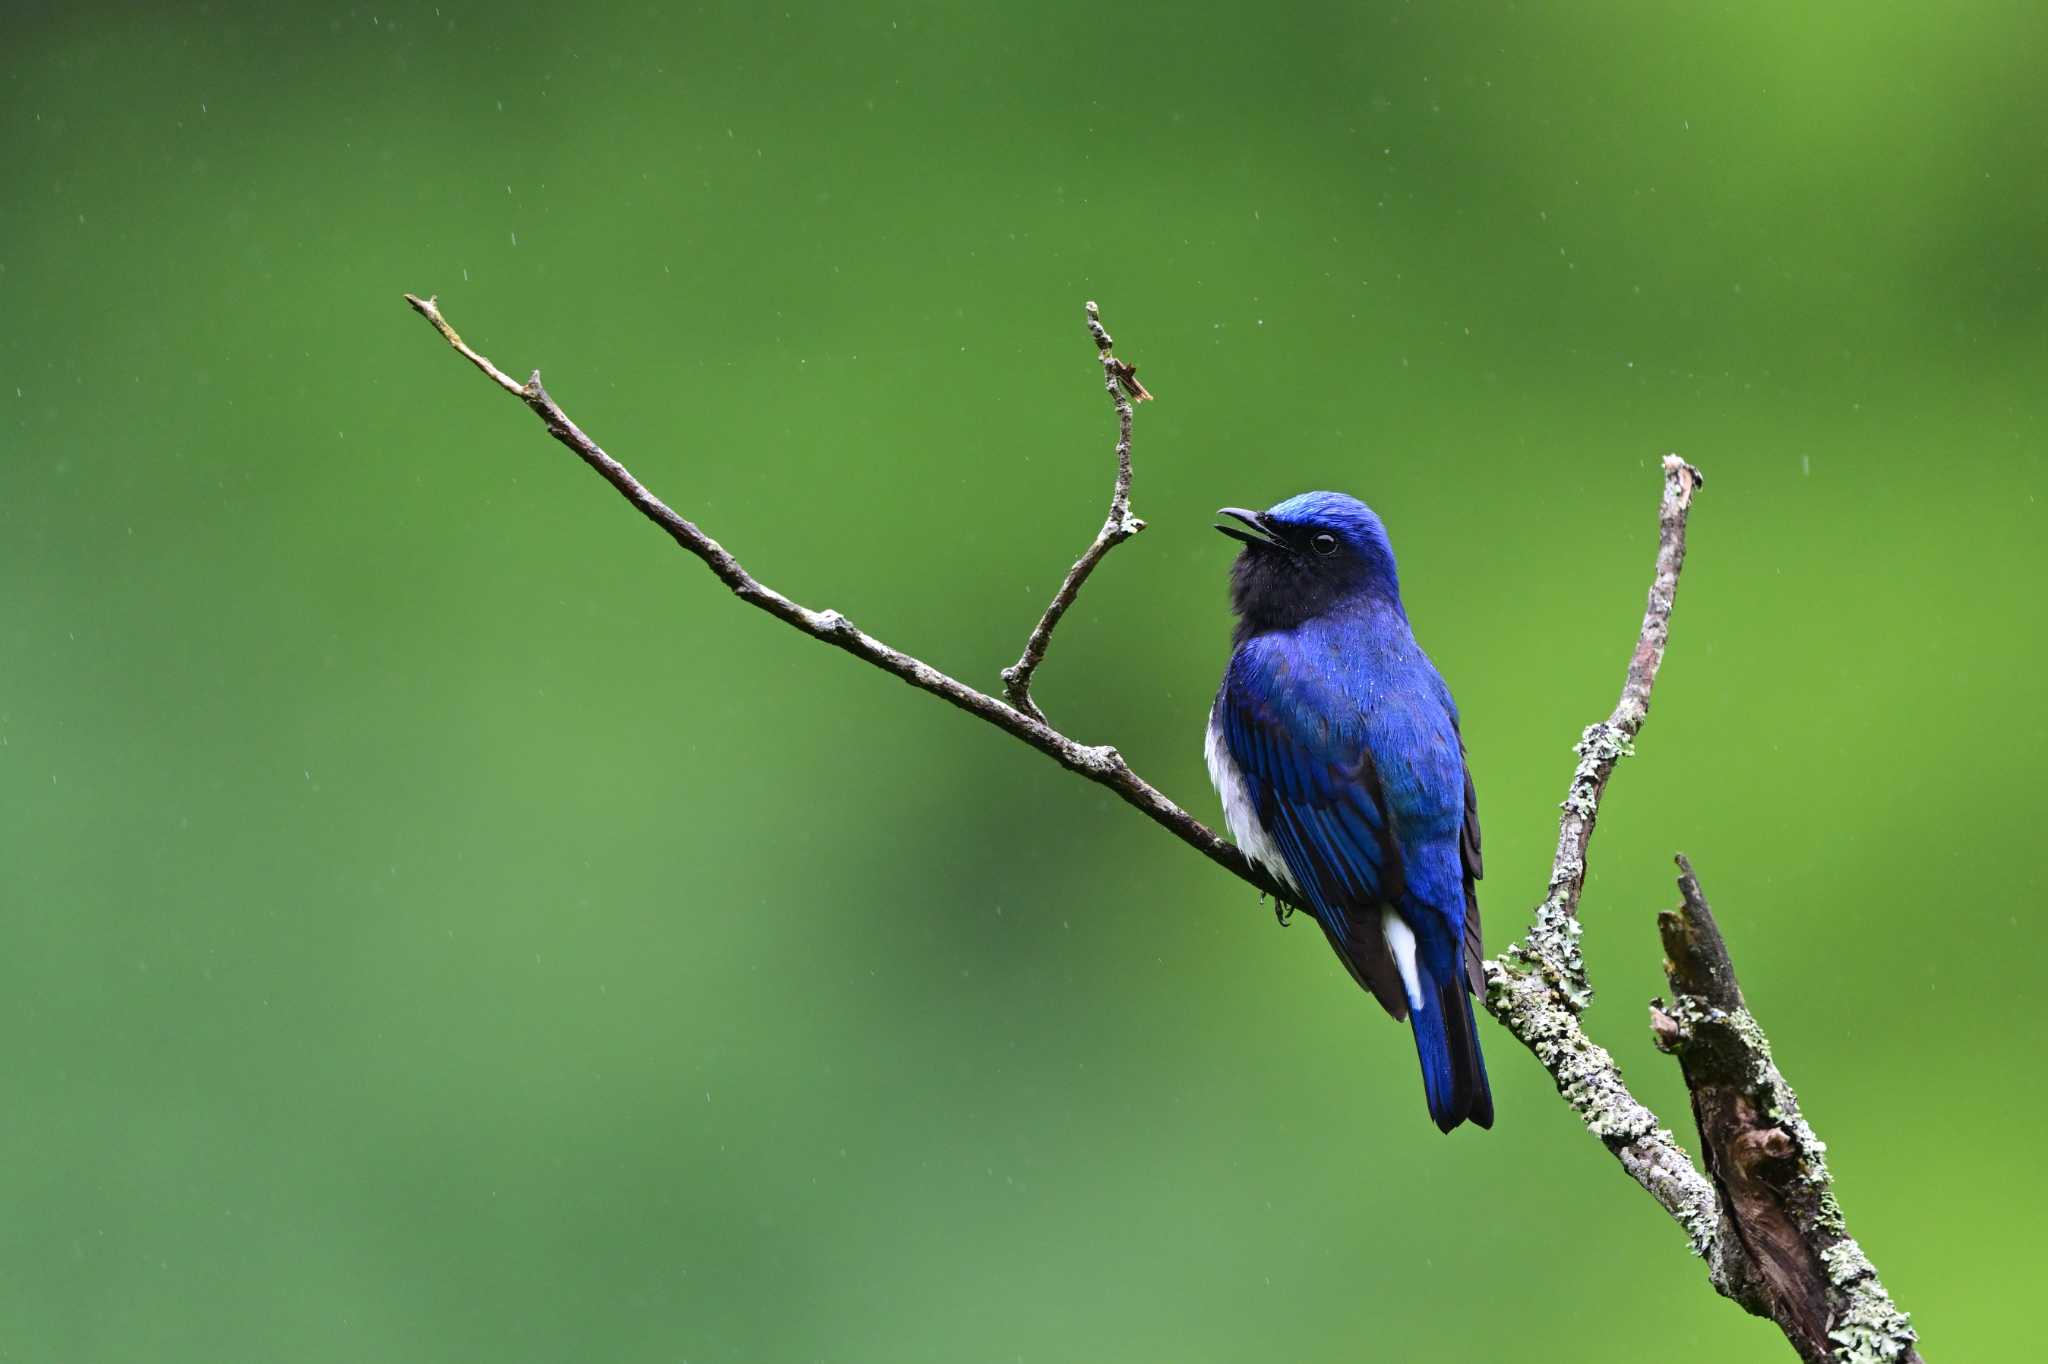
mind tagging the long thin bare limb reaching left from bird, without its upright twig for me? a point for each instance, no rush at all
(1097, 763)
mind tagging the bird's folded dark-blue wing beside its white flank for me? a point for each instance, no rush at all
(1318, 796)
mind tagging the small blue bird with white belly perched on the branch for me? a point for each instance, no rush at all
(1336, 751)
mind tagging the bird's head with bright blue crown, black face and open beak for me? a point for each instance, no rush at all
(1308, 556)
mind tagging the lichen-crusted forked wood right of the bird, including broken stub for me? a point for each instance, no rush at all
(1764, 1218)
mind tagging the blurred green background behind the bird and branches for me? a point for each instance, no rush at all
(441, 925)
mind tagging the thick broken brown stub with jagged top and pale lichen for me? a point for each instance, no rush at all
(1777, 1197)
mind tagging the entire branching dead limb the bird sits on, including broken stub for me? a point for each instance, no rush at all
(1766, 1222)
